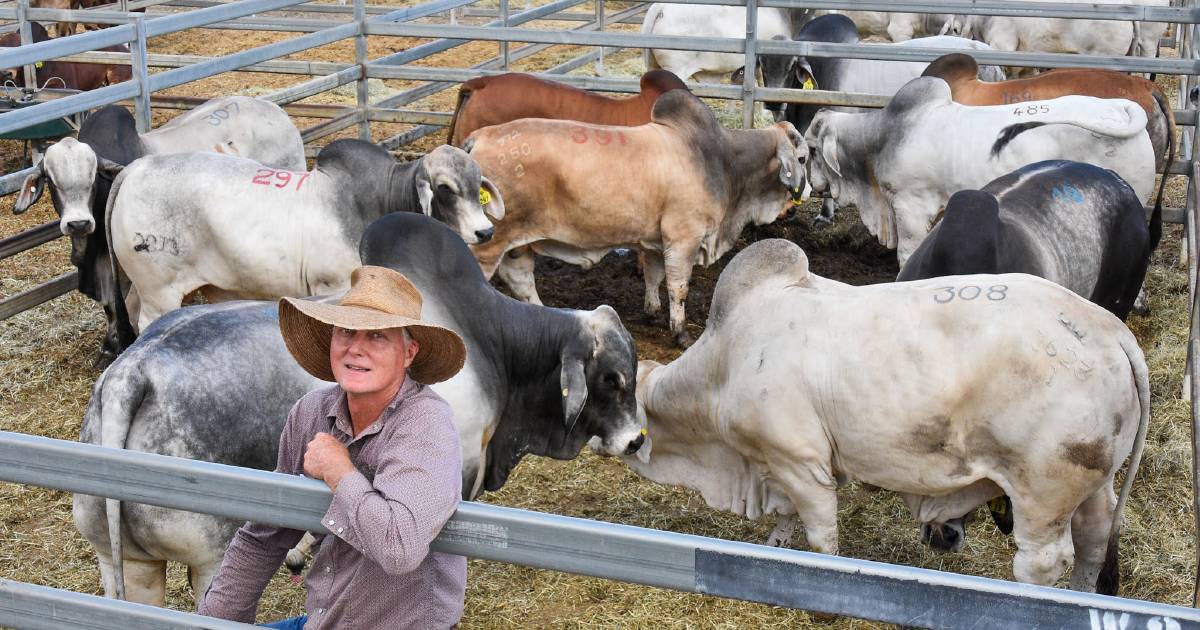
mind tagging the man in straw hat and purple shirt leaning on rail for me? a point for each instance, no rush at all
(388, 448)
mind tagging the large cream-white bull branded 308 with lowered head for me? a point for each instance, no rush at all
(976, 387)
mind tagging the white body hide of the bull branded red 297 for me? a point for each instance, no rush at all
(213, 226)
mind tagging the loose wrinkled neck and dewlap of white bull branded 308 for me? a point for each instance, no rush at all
(688, 446)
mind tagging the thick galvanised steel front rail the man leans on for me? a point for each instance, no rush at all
(783, 578)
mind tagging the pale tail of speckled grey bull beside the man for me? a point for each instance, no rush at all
(117, 409)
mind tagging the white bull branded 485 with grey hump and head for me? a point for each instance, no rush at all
(901, 165)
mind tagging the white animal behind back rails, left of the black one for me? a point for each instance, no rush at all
(707, 21)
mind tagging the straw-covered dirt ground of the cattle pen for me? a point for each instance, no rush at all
(46, 376)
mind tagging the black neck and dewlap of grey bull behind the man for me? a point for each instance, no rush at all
(532, 417)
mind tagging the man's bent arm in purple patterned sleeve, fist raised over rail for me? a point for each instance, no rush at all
(416, 491)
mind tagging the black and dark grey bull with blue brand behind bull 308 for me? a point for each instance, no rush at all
(1077, 225)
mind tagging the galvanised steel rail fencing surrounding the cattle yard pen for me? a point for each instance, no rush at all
(843, 586)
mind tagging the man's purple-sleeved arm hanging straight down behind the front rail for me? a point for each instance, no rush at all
(257, 550)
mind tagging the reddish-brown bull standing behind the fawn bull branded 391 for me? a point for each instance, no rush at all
(488, 101)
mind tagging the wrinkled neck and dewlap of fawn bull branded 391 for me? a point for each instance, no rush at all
(755, 195)
